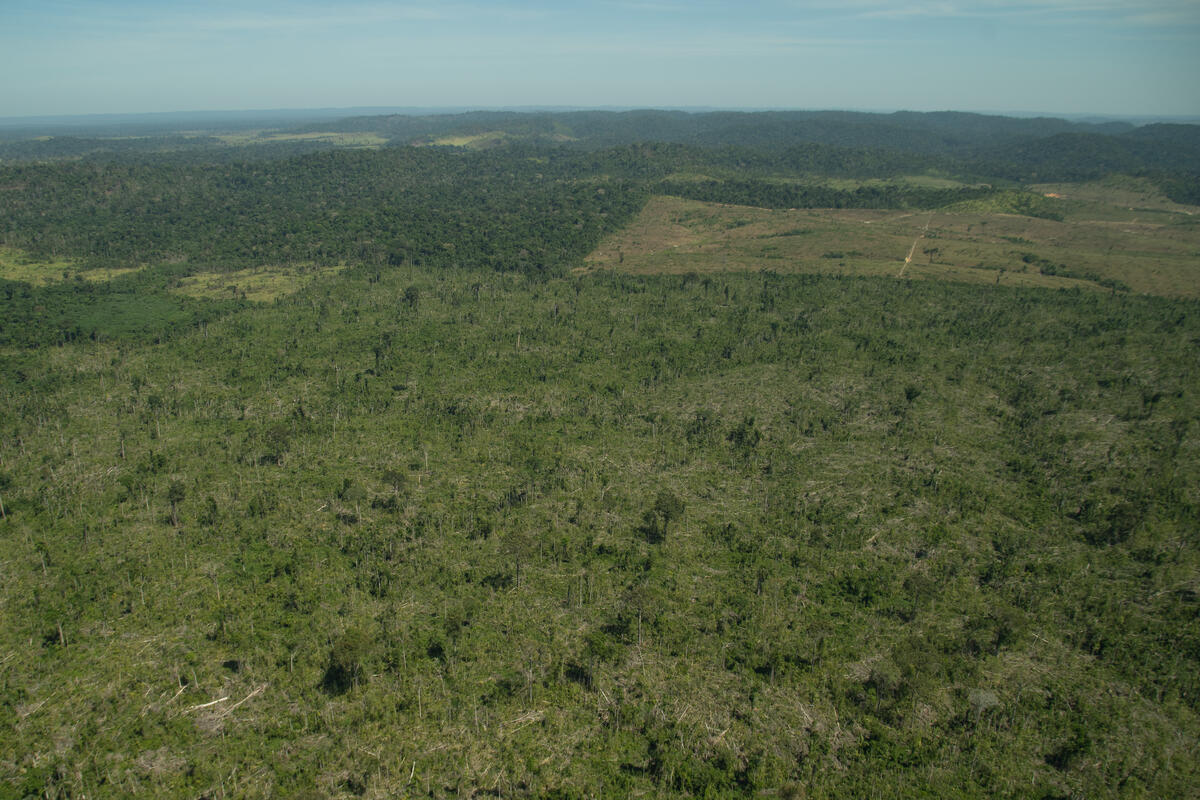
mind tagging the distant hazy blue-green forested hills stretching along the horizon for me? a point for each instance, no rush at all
(1041, 149)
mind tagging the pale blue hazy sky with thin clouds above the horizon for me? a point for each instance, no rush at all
(1057, 57)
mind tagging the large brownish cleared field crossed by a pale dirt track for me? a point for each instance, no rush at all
(1154, 248)
